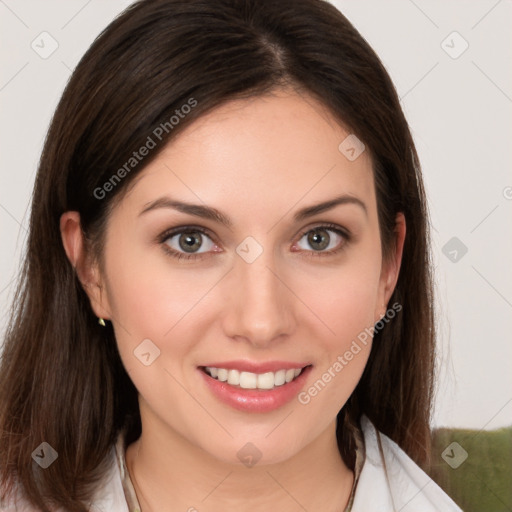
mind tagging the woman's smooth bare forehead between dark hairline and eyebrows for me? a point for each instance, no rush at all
(265, 152)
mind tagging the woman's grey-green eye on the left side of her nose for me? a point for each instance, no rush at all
(187, 242)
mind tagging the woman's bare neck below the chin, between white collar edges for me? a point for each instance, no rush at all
(170, 474)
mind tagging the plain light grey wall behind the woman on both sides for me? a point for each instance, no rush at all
(459, 106)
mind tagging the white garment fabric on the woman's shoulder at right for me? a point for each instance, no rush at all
(390, 481)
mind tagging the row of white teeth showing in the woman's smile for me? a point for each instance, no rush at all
(249, 380)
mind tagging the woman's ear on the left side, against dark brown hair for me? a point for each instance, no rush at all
(86, 268)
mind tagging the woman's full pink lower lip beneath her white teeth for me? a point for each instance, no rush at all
(256, 400)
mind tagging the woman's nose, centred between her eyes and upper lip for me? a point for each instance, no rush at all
(260, 308)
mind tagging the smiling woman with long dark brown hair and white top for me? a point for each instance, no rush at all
(226, 301)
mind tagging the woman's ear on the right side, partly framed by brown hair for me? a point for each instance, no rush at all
(391, 269)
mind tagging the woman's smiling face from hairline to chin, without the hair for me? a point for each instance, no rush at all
(256, 277)
